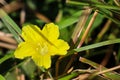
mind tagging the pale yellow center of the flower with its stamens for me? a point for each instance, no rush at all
(42, 49)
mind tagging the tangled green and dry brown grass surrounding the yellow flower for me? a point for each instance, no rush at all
(90, 27)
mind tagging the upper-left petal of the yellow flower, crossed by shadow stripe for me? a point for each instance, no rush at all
(30, 34)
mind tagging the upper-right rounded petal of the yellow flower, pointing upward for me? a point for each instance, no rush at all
(51, 31)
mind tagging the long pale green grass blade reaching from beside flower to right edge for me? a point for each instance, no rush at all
(96, 45)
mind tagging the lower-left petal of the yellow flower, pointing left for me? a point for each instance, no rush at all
(24, 50)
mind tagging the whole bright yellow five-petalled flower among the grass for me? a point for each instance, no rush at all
(40, 45)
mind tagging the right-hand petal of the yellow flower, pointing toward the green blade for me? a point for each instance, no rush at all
(60, 49)
